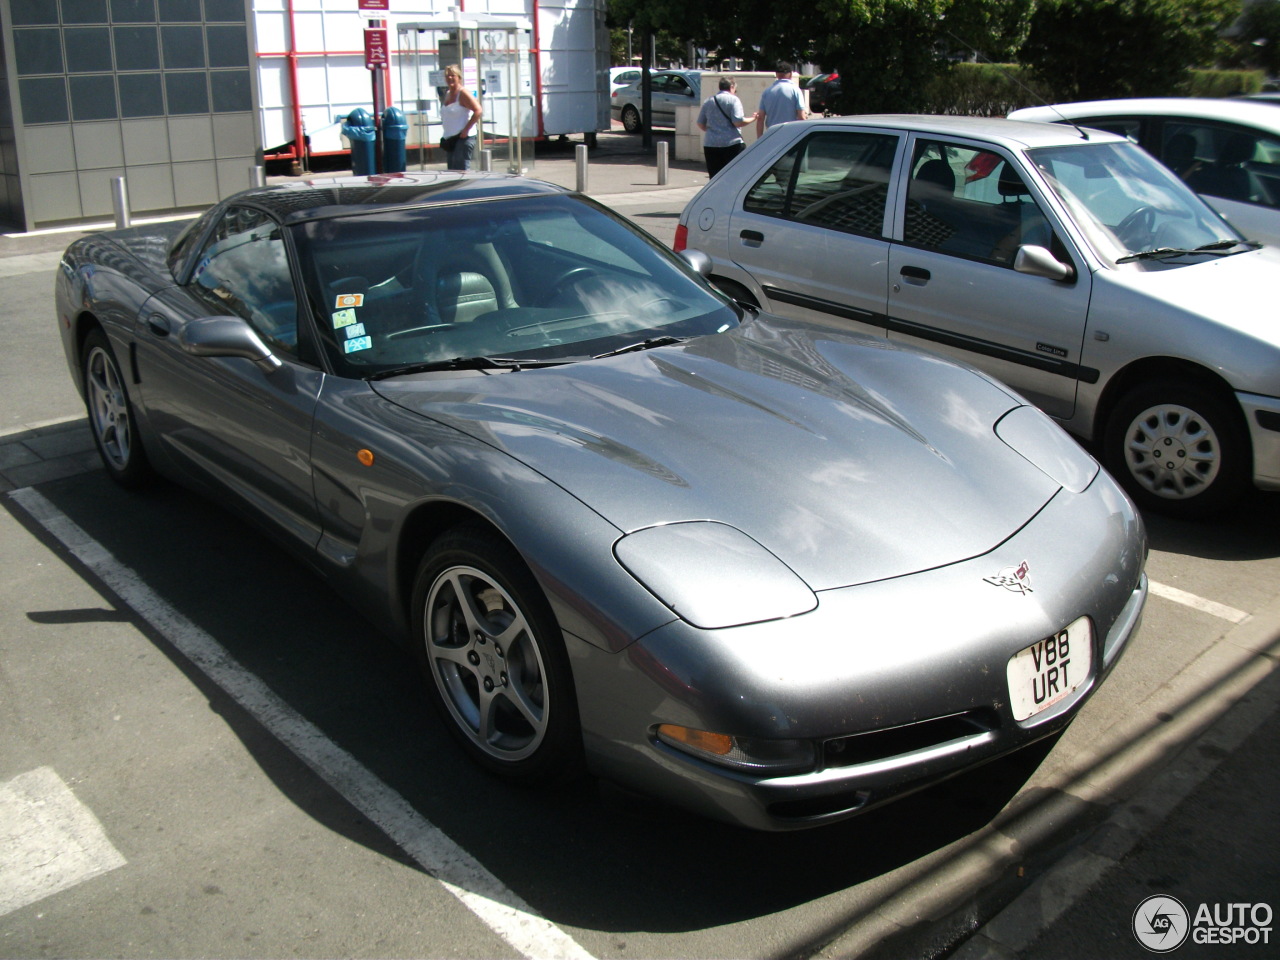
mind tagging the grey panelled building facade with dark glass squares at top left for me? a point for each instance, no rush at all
(161, 93)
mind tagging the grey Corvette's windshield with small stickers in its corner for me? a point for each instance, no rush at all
(533, 280)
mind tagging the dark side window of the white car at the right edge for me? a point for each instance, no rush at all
(1224, 162)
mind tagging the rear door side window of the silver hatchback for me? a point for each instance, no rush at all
(831, 180)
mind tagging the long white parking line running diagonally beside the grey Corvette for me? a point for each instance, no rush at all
(500, 908)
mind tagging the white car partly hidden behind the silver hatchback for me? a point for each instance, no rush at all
(1226, 150)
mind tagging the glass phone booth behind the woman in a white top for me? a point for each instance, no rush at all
(499, 70)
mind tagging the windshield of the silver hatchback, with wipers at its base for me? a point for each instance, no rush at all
(1128, 204)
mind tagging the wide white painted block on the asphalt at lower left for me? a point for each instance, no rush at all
(49, 840)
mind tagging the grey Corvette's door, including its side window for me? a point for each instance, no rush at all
(226, 420)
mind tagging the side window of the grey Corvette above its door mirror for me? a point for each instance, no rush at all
(244, 271)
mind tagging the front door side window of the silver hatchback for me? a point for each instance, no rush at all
(972, 203)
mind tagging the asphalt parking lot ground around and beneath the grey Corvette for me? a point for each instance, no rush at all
(207, 755)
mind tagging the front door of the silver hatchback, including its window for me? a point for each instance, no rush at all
(953, 286)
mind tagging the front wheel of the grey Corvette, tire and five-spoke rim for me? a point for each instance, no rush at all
(495, 660)
